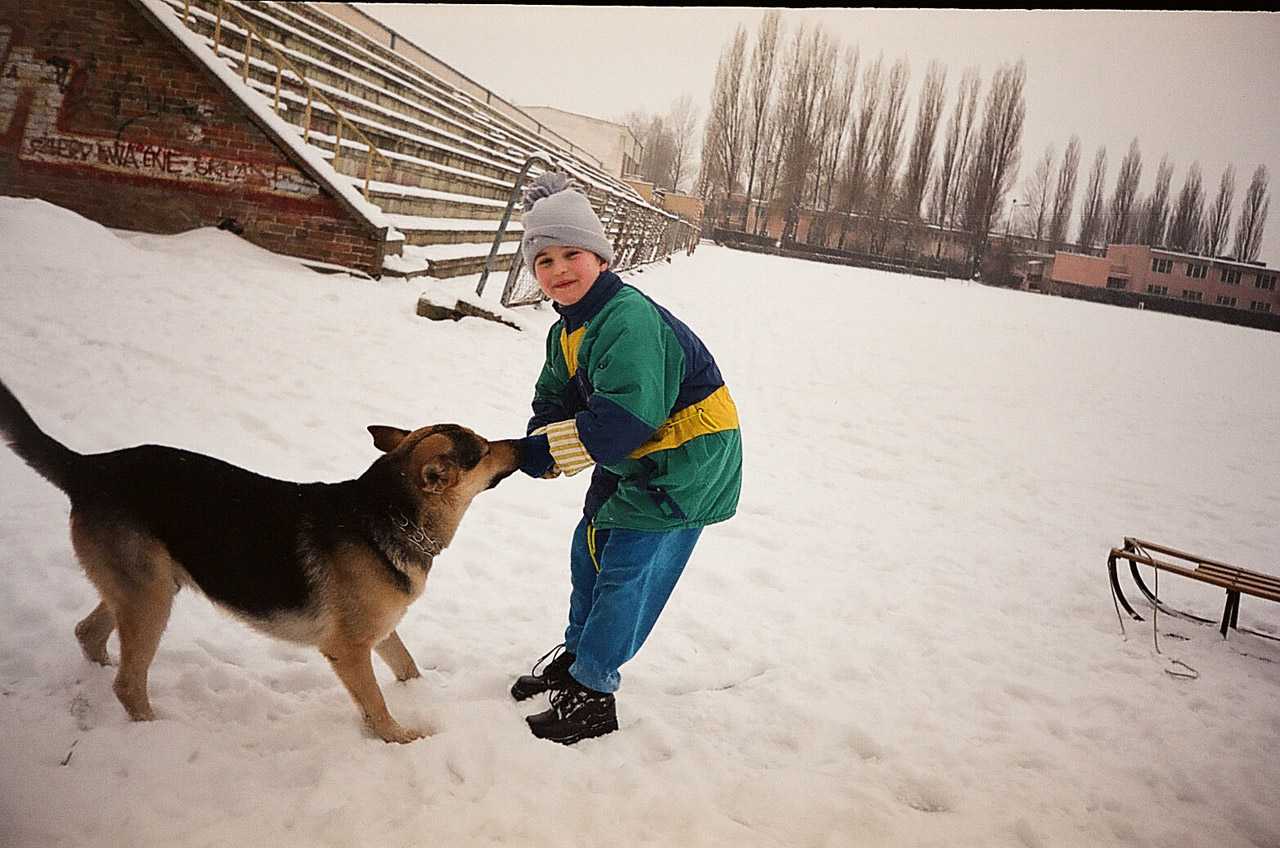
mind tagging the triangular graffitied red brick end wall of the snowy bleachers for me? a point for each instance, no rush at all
(103, 113)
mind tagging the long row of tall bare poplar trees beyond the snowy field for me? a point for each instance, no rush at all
(801, 122)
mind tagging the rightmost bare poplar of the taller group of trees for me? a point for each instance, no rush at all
(995, 166)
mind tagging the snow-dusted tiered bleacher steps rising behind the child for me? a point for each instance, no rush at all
(454, 158)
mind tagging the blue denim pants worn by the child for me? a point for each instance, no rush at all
(621, 582)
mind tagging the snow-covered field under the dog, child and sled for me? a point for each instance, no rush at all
(904, 639)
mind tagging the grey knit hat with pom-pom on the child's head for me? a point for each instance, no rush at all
(559, 213)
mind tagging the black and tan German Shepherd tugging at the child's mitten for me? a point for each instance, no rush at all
(335, 566)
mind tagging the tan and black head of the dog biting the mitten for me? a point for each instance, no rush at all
(447, 461)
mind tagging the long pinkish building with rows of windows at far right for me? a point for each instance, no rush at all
(1162, 273)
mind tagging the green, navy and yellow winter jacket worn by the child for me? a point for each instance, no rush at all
(648, 405)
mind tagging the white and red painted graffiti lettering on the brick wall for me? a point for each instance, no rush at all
(39, 88)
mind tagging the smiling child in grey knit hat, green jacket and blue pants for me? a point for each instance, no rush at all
(629, 389)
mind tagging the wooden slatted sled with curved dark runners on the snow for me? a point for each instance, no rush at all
(1235, 580)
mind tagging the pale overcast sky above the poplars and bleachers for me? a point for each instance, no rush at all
(1196, 86)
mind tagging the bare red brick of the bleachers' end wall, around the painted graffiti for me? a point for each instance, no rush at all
(124, 65)
